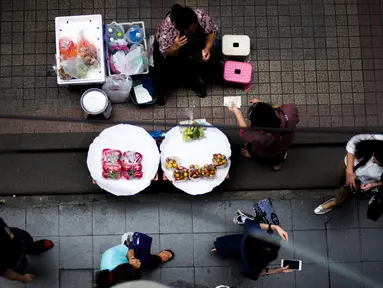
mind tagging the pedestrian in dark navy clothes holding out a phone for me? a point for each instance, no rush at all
(257, 247)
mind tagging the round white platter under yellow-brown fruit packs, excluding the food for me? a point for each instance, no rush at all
(198, 152)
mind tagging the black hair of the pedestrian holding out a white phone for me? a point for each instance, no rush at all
(260, 253)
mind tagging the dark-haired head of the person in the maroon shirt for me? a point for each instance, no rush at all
(263, 115)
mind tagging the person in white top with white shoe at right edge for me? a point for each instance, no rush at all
(364, 167)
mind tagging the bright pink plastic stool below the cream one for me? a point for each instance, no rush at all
(238, 72)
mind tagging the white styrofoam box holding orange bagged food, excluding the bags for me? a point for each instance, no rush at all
(91, 25)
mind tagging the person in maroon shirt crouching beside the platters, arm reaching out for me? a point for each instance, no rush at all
(268, 147)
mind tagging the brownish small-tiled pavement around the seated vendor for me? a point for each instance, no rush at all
(324, 55)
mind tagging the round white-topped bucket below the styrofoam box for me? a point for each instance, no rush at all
(96, 104)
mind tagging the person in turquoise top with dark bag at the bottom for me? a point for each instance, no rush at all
(125, 262)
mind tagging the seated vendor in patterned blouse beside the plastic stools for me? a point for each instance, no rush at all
(184, 51)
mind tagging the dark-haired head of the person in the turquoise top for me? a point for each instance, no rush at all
(122, 273)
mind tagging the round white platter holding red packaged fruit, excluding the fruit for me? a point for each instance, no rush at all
(125, 138)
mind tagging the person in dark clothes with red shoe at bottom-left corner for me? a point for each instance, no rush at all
(15, 244)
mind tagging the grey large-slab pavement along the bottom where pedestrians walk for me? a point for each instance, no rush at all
(337, 250)
